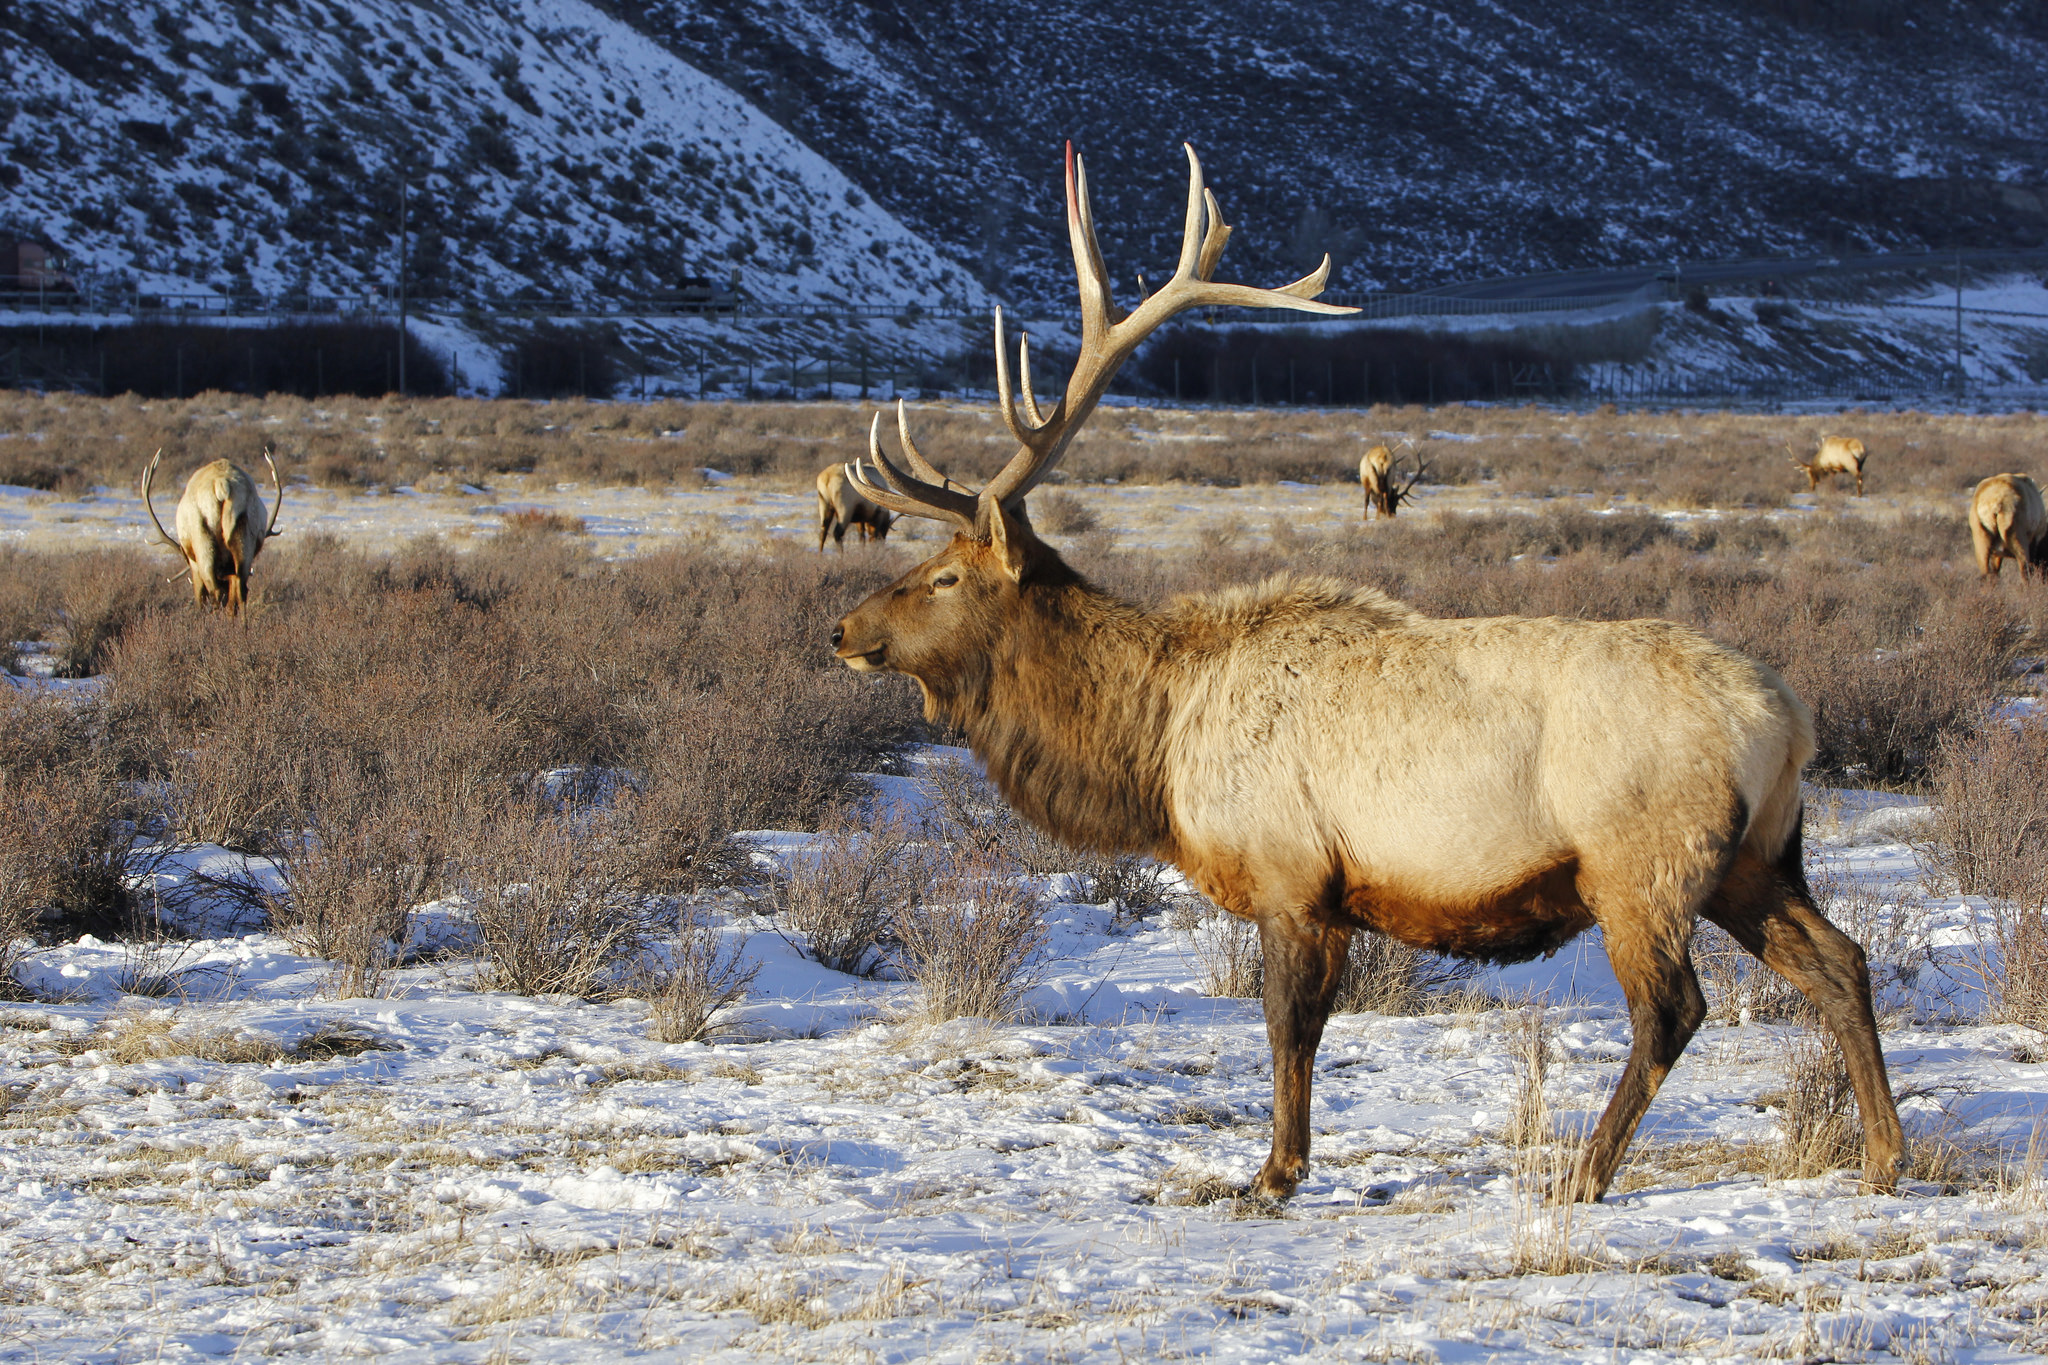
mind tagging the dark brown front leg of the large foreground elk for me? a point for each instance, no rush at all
(1304, 967)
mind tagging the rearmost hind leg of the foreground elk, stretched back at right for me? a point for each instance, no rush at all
(1770, 914)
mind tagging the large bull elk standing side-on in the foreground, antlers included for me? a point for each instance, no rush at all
(1324, 760)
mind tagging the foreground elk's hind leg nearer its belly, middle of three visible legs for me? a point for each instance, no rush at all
(1664, 1012)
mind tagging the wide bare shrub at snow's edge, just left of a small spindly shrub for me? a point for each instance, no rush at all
(552, 899)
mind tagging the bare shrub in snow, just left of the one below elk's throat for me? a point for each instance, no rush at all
(843, 893)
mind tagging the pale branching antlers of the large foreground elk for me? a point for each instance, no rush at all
(1109, 339)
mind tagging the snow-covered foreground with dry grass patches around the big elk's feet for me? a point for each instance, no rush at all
(460, 1176)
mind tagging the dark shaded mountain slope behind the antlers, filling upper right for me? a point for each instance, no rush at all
(1418, 142)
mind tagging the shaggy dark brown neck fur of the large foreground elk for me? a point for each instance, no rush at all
(1070, 713)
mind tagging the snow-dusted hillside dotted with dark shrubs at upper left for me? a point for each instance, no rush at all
(552, 150)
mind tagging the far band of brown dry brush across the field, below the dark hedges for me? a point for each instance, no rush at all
(1666, 459)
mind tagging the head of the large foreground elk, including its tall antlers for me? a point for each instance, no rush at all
(945, 621)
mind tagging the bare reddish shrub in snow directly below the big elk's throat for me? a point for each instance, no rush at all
(974, 940)
